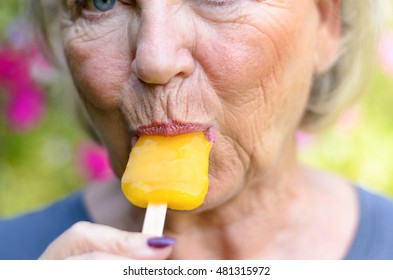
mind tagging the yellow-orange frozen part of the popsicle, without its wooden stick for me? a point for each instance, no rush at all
(170, 170)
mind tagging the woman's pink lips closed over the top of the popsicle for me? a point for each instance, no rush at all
(173, 128)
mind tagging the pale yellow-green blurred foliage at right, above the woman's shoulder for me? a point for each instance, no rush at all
(360, 146)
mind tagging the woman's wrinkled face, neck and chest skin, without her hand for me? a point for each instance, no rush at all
(243, 67)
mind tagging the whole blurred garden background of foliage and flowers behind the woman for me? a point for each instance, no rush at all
(44, 153)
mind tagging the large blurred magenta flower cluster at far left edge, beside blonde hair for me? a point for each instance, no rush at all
(22, 67)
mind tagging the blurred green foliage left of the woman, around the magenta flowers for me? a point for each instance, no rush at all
(37, 166)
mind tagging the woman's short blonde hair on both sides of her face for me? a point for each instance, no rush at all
(332, 91)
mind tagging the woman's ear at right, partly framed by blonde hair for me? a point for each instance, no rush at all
(329, 33)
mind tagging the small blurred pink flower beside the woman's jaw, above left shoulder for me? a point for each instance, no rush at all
(93, 162)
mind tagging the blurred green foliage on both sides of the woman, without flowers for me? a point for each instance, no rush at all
(38, 166)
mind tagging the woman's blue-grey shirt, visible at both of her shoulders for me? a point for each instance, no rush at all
(27, 236)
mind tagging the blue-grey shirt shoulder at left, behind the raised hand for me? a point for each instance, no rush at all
(26, 236)
